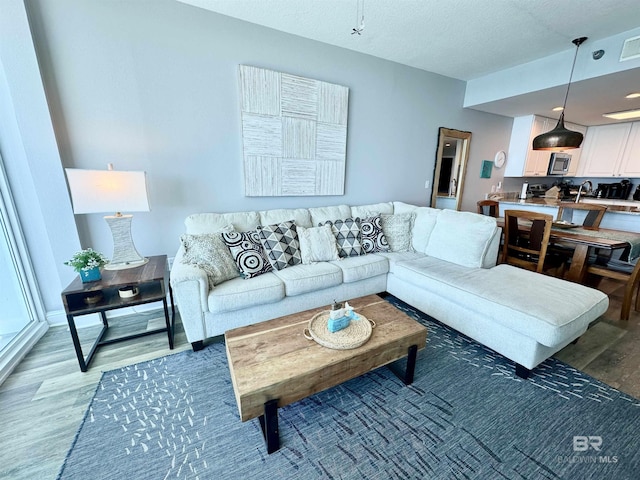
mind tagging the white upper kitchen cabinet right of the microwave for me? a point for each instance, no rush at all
(603, 150)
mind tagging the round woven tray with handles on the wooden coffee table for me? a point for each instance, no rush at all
(356, 334)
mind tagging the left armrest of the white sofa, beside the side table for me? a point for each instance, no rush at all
(191, 289)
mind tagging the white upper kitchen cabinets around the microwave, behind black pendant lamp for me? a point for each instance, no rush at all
(522, 160)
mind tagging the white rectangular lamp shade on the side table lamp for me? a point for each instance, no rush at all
(99, 191)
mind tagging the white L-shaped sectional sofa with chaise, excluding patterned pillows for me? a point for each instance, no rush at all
(447, 269)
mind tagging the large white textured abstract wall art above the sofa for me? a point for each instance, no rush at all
(294, 134)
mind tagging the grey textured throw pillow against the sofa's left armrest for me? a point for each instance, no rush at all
(210, 253)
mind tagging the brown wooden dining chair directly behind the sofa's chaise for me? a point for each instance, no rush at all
(526, 238)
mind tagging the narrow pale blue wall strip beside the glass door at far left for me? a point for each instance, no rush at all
(28, 148)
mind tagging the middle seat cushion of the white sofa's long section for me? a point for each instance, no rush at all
(309, 278)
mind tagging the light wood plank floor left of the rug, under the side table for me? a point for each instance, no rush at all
(44, 399)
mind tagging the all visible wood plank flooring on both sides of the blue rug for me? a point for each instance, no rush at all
(43, 401)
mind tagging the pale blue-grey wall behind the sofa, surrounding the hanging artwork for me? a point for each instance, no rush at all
(153, 86)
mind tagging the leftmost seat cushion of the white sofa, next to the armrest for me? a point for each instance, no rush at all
(239, 293)
